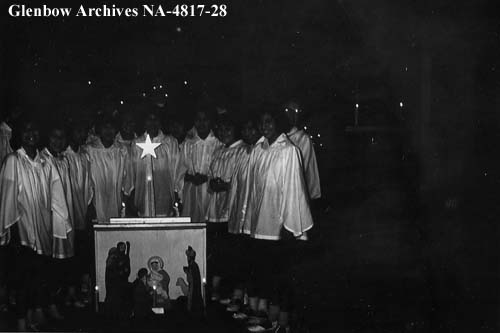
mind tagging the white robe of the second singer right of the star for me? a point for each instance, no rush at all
(225, 165)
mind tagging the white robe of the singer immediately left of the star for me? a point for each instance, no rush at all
(107, 172)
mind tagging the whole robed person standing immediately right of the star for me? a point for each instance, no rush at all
(196, 155)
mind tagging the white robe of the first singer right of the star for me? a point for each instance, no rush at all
(196, 156)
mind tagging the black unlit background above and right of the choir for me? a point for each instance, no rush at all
(407, 228)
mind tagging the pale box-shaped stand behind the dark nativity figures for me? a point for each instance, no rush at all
(167, 238)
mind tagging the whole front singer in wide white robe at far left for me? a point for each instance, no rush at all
(33, 212)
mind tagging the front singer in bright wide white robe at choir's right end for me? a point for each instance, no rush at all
(277, 207)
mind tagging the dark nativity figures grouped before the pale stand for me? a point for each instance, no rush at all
(150, 290)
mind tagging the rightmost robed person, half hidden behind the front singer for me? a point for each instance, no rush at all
(303, 141)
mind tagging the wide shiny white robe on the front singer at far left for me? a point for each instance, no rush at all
(32, 195)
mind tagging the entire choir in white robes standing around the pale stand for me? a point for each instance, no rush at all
(251, 180)
